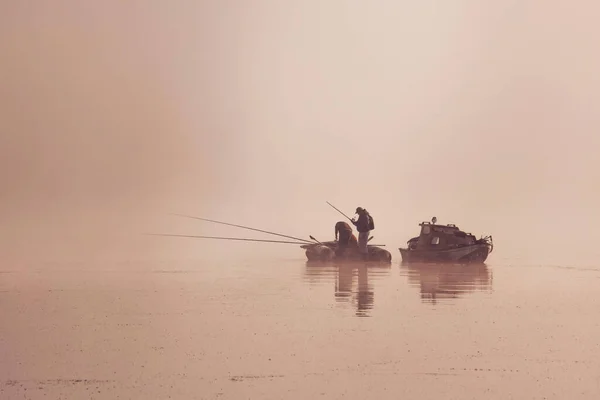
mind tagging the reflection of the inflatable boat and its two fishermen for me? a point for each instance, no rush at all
(353, 283)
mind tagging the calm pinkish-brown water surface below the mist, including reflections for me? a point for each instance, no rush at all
(289, 329)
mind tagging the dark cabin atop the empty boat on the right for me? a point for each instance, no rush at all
(439, 237)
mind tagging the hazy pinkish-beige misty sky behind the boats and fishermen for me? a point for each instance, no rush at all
(113, 114)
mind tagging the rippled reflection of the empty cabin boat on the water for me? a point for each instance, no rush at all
(447, 281)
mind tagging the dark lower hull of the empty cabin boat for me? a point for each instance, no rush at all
(476, 253)
